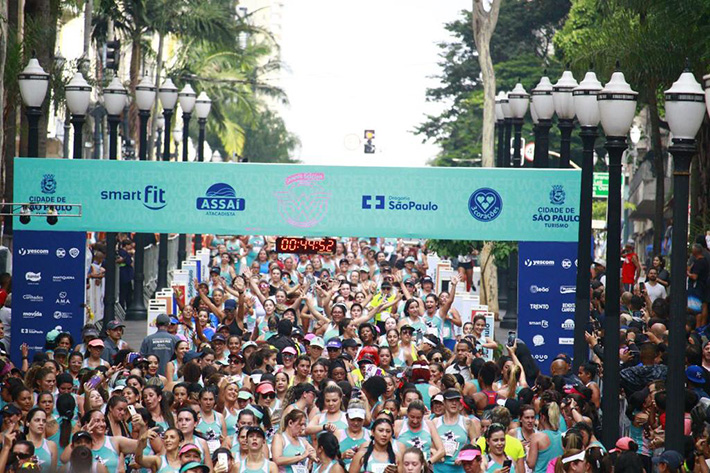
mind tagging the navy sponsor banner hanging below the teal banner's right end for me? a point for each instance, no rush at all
(546, 292)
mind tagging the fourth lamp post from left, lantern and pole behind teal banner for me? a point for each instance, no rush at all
(145, 96)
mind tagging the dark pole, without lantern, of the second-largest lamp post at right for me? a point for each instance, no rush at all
(615, 145)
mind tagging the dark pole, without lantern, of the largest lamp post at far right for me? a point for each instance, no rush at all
(683, 152)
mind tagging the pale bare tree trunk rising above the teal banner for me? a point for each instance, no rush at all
(485, 17)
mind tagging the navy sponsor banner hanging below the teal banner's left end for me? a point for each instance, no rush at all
(49, 287)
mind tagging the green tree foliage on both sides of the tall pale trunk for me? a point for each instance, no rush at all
(520, 51)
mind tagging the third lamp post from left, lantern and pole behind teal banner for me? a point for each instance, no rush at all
(115, 99)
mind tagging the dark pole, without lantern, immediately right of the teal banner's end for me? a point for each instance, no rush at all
(584, 248)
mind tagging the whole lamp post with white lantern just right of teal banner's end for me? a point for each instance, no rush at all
(587, 111)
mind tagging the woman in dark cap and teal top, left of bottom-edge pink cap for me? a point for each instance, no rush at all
(455, 431)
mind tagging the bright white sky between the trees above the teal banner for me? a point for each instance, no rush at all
(362, 65)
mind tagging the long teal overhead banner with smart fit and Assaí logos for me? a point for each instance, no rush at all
(276, 199)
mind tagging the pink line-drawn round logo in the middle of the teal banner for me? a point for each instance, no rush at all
(304, 202)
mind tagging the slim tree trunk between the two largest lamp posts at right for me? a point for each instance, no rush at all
(659, 169)
